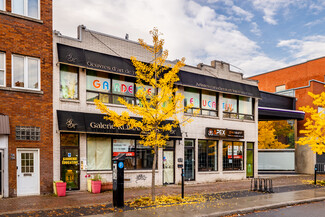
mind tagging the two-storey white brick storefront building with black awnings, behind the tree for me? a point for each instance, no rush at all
(220, 143)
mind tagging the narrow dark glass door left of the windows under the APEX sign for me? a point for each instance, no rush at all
(189, 160)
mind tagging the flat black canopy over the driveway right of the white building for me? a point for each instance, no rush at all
(266, 114)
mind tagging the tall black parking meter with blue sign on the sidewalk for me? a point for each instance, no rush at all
(118, 180)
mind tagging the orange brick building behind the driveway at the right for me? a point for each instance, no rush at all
(297, 81)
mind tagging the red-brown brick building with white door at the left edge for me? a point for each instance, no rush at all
(26, 56)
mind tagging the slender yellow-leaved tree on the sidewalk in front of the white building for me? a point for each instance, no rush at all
(165, 103)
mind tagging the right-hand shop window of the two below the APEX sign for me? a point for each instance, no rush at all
(233, 155)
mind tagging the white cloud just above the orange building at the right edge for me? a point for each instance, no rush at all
(310, 47)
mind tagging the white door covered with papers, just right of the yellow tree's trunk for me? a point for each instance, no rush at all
(168, 167)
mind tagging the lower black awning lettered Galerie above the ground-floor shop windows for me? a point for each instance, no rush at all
(95, 123)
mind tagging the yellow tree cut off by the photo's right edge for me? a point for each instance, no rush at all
(315, 124)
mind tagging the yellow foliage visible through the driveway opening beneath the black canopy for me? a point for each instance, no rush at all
(267, 136)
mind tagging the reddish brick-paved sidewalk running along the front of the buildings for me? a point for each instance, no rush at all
(80, 198)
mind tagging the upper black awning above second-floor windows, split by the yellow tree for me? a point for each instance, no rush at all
(104, 62)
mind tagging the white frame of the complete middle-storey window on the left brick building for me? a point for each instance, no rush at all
(26, 58)
